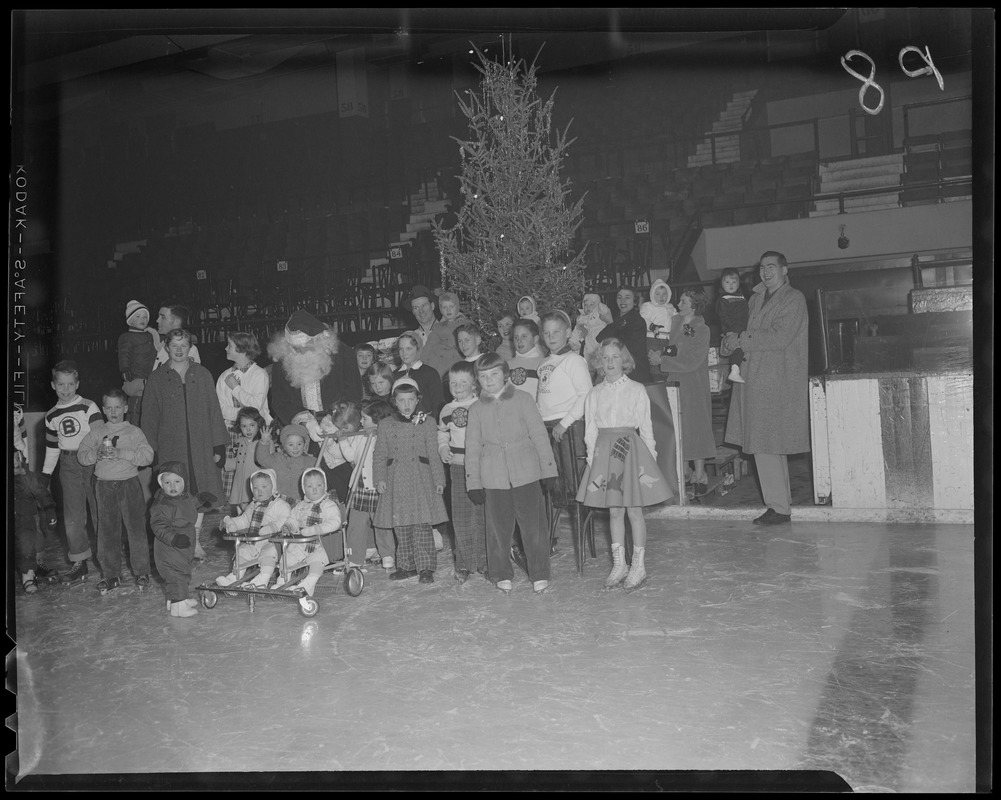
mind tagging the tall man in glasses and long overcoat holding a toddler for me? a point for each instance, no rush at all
(769, 415)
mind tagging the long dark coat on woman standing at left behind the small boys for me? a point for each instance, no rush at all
(183, 423)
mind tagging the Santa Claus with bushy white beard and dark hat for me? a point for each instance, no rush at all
(312, 373)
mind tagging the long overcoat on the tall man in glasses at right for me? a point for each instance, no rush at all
(770, 413)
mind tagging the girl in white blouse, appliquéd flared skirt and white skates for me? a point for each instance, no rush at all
(622, 474)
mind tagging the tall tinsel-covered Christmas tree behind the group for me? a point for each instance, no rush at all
(515, 230)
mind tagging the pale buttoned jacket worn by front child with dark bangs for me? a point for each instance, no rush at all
(507, 445)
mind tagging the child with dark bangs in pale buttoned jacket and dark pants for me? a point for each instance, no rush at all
(508, 455)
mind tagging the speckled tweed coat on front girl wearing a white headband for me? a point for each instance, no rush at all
(408, 462)
